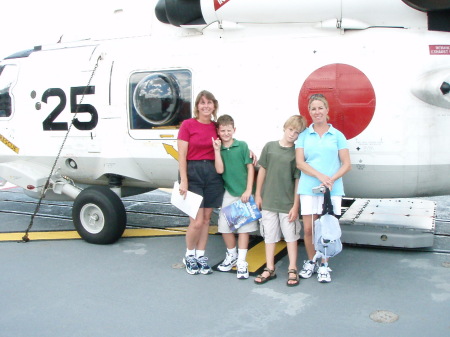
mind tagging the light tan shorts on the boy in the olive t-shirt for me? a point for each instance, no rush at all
(275, 225)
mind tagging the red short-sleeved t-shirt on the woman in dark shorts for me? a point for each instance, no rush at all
(198, 135)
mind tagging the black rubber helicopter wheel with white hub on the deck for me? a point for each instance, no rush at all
(99, 215)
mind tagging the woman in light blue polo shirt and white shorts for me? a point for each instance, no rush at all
(323, 158)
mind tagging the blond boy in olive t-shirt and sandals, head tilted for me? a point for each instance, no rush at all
(276, 195)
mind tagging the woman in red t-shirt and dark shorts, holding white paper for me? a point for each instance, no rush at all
(198, 175)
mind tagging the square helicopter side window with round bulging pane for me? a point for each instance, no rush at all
(159, 99)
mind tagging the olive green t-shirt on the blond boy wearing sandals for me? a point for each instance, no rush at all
(278, 191)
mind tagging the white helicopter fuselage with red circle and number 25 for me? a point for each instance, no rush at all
(385, 81)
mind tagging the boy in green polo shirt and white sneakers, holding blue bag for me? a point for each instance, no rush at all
(233, 161)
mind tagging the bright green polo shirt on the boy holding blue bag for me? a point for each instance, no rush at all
(235, 159)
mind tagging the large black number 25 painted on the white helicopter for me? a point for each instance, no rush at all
(49, 123)
